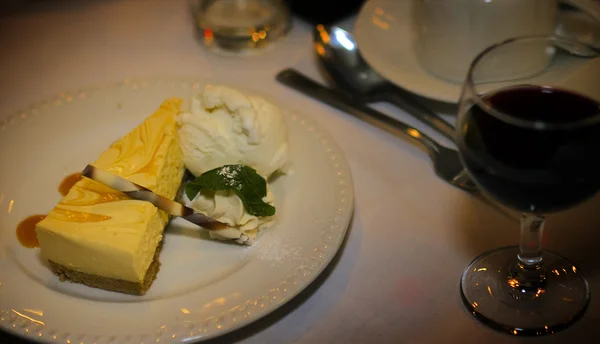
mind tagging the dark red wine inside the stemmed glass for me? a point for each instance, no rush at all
(543, 157)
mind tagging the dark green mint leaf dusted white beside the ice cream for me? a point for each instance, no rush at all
(248, 185)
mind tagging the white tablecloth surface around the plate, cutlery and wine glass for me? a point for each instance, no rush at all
(396, 279)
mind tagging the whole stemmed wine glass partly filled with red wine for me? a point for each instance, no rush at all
(529, 136)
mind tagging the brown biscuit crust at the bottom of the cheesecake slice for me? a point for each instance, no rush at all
(111, 284)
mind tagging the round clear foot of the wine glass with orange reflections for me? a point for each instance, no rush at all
(495, 297)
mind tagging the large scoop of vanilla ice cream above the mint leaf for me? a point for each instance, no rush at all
(226, 127)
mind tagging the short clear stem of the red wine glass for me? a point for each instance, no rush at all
(530, 248)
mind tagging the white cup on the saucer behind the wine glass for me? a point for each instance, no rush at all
(450, 33)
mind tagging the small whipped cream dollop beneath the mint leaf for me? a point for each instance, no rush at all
(227, 207)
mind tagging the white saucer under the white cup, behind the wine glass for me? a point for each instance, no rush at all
(384, 34)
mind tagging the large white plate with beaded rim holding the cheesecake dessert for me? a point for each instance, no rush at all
(204, 288)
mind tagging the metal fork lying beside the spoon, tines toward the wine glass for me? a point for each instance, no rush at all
(446, 162)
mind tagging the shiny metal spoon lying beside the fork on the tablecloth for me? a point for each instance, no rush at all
(347, 70)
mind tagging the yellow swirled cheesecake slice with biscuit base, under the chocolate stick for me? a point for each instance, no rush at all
(100, 237)
